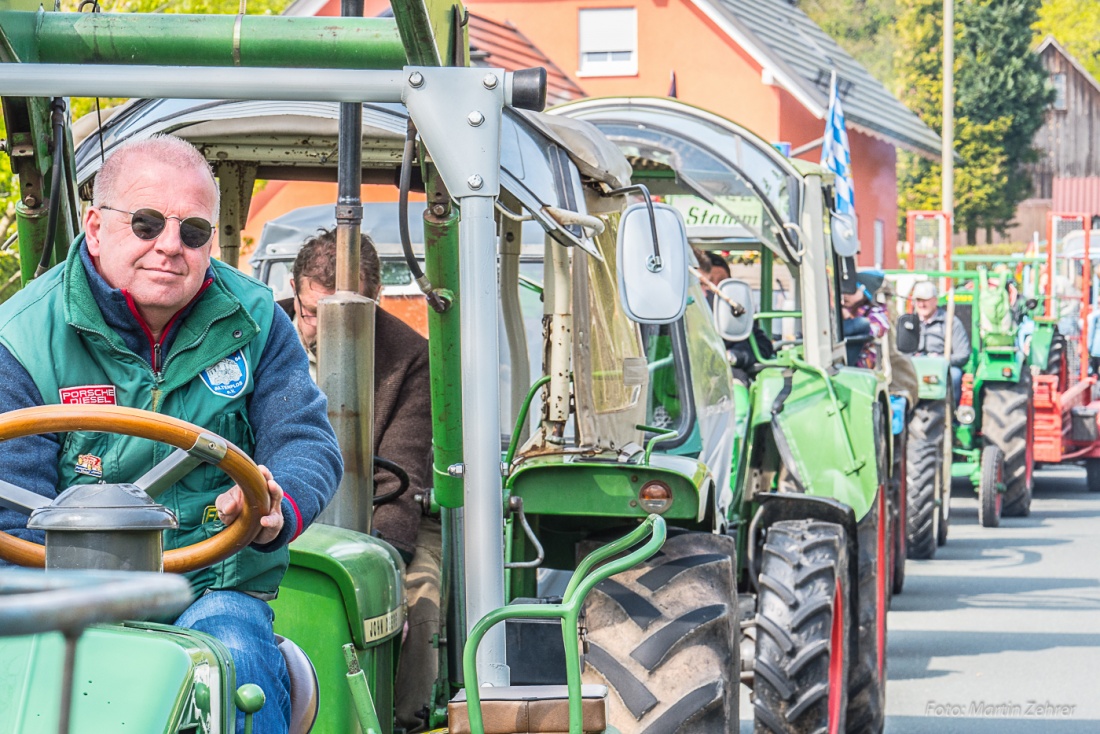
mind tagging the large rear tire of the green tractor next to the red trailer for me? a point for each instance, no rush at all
(1006, 414)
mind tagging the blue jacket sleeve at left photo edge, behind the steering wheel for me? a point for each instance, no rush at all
(28, 463)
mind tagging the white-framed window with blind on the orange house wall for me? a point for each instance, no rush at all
(608, 42)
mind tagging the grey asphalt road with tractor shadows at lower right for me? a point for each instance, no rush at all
(1000, 633)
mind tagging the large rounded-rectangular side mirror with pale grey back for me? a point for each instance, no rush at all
(653, 276)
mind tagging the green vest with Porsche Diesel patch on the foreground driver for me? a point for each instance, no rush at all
(57, 332)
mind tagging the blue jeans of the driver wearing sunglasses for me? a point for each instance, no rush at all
(244, 625)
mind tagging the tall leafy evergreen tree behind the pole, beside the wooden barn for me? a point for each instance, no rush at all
(1000, 102)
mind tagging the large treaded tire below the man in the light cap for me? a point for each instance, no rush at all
(925, 476)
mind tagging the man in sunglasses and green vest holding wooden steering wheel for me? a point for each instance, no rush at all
(140, 316)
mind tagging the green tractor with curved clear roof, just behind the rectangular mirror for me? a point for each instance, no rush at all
(811, 436)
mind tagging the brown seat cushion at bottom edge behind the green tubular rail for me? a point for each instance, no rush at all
(531, 710)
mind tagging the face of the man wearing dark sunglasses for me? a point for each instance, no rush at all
(161, 275)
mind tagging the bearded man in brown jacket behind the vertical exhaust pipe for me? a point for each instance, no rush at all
(402, 435)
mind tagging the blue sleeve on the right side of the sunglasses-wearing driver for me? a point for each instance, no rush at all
(294, 439)
